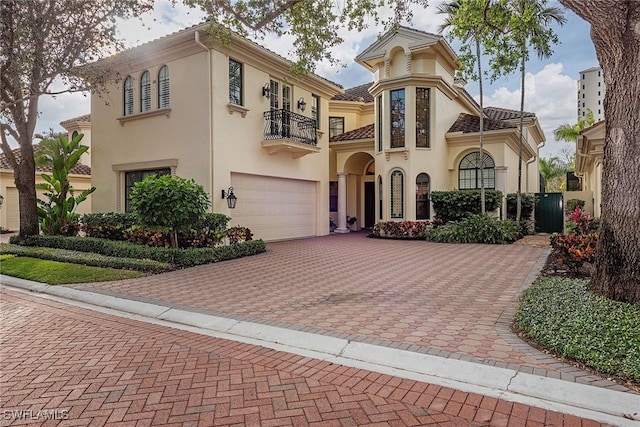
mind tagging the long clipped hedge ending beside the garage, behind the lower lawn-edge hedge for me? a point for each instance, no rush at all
(177, 257)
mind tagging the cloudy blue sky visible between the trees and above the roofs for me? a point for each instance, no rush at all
(551, 90)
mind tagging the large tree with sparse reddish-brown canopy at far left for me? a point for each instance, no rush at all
(43, 43)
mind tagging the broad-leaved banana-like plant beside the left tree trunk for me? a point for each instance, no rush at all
(57, 212)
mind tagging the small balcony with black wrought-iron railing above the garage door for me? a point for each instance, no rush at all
(289, 132)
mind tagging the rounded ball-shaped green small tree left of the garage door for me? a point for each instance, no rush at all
(168, 201)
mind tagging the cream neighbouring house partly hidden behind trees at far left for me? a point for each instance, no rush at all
(79, 177)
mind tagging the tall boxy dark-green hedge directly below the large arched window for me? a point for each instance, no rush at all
(457, 205)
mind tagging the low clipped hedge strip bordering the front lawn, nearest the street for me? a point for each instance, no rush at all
(94, 260)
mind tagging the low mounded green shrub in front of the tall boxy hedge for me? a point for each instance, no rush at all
(476, 229)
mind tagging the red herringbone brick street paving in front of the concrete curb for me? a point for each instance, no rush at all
(98, 369)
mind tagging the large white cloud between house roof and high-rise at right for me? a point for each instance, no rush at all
(550, 94)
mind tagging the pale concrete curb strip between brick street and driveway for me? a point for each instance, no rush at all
(603, 405)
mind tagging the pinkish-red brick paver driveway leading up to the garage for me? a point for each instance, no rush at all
(410, 294)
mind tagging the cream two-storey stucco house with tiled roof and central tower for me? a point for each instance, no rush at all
(299, 150)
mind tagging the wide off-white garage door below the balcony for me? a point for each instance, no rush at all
(274, 208)
